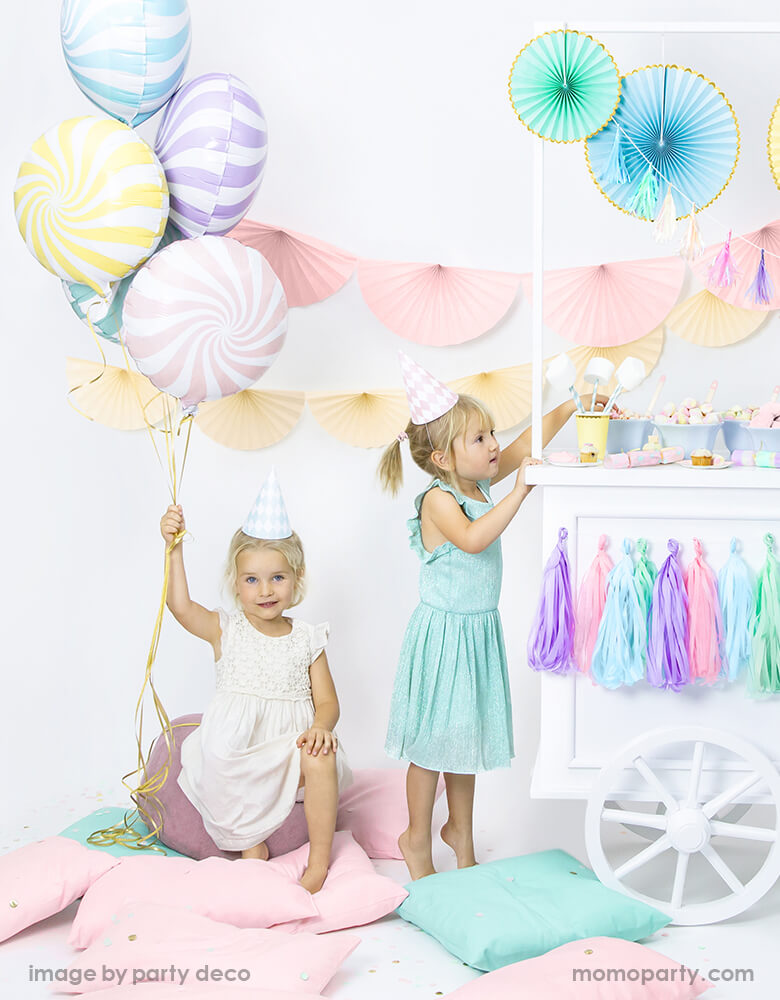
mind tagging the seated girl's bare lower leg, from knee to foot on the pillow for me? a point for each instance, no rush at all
(320, 805)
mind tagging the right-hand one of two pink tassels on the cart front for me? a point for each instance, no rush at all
(705, 622)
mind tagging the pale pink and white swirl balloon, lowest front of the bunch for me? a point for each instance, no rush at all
(205, 318)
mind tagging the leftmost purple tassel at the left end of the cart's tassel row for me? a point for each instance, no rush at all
(551, 642)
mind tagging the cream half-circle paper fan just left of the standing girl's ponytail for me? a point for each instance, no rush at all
(363, 419)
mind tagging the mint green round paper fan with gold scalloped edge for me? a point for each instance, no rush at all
(564, 86)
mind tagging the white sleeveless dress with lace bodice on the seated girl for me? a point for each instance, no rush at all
(241, 768)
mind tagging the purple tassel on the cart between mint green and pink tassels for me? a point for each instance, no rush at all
(668, 665)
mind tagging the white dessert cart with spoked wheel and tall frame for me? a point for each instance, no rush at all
(687, 777)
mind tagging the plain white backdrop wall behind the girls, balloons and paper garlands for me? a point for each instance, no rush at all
(390, 134)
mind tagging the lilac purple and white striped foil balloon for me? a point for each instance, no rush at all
(212, 143)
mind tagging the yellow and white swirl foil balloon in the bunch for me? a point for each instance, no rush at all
(91, 201)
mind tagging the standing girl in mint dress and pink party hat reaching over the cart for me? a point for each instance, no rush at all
(451, 709)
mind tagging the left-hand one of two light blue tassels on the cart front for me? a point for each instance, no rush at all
(618, 655)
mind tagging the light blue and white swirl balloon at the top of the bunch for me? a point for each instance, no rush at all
(127, 56)
